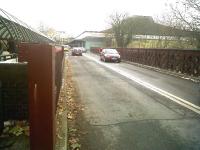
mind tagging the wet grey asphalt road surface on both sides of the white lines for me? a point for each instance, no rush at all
(123, 115)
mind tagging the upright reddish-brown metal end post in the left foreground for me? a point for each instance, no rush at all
(41, 77)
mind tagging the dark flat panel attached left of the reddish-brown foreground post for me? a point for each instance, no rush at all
(13, 92)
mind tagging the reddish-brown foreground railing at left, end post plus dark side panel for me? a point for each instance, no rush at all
(31, 90)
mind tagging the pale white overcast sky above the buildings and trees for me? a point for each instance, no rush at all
(76, 16)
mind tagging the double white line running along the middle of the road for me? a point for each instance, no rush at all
(170, 96)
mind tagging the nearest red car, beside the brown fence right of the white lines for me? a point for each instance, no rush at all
(110, 55)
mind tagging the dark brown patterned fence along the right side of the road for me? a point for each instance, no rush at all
(184, 61)
